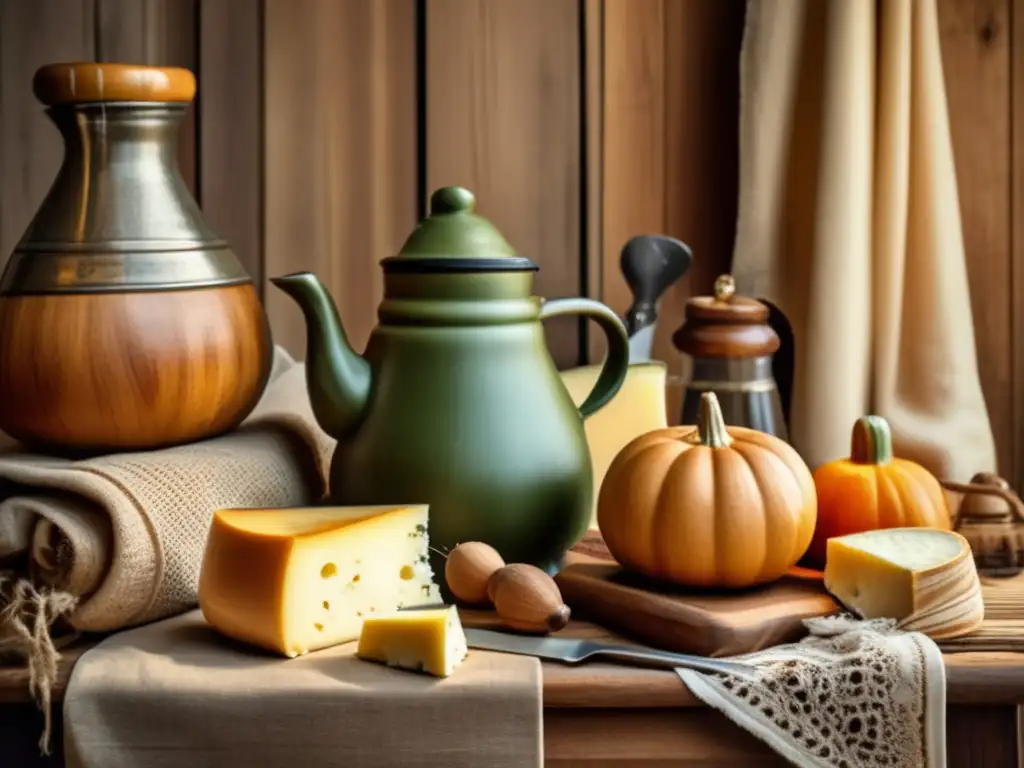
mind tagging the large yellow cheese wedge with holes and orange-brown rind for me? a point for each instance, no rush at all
(294, 581)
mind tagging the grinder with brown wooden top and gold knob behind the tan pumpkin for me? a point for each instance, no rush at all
(732, 345)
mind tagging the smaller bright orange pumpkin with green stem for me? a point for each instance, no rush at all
(872, 490)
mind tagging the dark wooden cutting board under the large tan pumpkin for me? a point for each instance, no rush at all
(710, 624)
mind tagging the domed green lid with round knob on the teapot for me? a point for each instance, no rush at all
(454, 239)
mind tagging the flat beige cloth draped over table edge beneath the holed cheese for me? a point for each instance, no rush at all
(175, 695)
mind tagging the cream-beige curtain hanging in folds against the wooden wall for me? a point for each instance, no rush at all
(849, 222)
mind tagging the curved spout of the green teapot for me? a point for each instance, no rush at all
(337, 378)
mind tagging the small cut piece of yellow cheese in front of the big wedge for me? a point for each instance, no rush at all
(430, 641)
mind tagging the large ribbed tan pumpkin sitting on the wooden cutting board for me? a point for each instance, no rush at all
(708, 506)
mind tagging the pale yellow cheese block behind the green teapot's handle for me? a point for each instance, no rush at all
(637, 409)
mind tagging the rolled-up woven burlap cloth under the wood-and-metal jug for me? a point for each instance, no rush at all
(124, 534)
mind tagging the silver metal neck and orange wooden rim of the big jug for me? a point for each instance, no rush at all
(122, 231)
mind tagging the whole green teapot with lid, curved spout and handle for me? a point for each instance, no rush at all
(457, 402)
